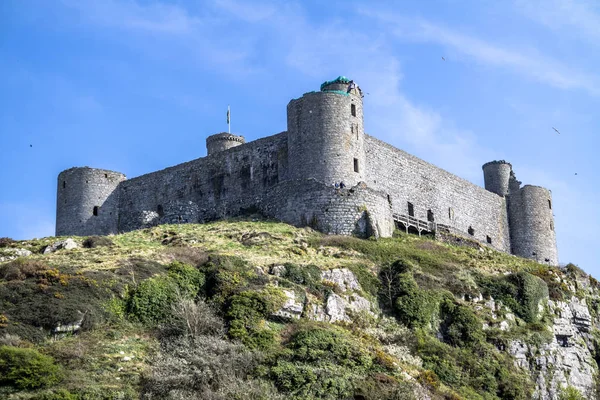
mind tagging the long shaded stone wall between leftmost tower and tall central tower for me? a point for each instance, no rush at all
(220, 185)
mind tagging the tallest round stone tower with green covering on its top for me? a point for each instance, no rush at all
(326, 134)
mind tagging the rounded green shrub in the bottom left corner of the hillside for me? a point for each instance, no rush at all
(27, 368)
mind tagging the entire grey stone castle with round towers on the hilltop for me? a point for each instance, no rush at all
(292, 176)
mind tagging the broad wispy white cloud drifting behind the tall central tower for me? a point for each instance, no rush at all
(390, 114)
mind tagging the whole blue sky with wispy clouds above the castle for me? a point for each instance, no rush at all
(136, 85)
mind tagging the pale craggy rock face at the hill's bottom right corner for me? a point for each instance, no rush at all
(567, 359)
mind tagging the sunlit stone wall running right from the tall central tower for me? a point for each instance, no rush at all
(452, 200)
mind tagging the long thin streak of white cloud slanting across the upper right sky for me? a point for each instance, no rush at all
(529, 63)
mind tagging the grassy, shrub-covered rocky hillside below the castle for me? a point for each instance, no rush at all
(242, 309)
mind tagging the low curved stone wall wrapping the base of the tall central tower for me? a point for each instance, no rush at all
(358, 210)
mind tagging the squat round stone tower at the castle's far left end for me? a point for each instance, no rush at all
(87, 202)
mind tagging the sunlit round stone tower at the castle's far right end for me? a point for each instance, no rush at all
(532, 224)
